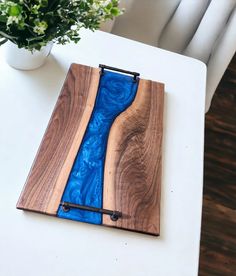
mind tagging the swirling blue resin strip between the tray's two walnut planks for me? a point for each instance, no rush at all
(85, 183)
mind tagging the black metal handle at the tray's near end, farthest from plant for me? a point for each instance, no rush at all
(114, 215)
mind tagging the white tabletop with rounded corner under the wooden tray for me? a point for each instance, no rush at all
(34, 244)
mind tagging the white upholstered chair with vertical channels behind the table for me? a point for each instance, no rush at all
(202, 29)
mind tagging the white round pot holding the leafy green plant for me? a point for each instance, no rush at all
(24, 59)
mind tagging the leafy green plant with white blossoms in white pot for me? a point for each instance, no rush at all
(32, 26)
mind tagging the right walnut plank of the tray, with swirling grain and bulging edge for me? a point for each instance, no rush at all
(132, 177)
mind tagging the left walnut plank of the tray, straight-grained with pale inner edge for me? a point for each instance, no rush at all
(49, 173)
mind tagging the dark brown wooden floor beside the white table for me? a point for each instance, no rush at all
(218, 238)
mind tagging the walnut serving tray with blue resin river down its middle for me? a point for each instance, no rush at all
(101, 151)
